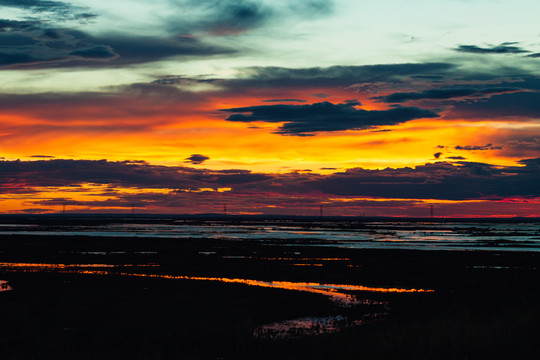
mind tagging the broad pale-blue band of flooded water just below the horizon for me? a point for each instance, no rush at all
(369, 234)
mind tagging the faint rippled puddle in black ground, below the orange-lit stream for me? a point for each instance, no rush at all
(312, 326)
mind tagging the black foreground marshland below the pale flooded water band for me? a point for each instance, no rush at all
(79, 298)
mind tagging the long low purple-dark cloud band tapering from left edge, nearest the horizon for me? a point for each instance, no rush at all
(58, 172)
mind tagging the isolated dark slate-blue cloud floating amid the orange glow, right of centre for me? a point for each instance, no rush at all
(325, 116)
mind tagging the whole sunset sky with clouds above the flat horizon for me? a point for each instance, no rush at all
(375, 108)
